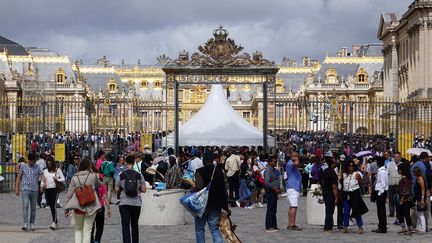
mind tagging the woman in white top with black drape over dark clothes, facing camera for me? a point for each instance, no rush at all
(353, 204)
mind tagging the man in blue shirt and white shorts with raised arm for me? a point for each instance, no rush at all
(293, 186)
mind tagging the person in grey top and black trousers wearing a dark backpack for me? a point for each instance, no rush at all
(130, 185)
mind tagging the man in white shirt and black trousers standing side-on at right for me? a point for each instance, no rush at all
(381, 188)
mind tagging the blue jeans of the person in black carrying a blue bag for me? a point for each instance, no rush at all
(212, 217)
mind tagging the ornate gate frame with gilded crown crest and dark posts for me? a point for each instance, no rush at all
(219, 61)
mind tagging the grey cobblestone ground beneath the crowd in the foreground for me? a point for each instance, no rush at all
(250, 227)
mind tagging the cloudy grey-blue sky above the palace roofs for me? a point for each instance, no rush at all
(144, 29)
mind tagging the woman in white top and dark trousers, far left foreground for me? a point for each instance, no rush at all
(52, 174)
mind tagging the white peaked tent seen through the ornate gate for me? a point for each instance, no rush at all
(217, 124)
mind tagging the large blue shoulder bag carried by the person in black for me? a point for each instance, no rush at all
(196, 202)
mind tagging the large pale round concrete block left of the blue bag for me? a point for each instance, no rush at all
(162, 208)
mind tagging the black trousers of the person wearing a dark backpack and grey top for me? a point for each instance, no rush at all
(129, 218)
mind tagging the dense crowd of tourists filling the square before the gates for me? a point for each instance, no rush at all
(243, 177)
